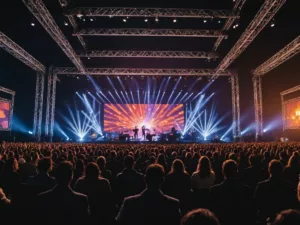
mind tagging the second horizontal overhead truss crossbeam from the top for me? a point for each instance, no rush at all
(150, 32)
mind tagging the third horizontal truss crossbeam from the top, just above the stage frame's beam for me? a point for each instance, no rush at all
(150, 54)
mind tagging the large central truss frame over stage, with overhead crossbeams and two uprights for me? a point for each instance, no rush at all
(39, 10)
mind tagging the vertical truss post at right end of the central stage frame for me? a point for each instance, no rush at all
(236, 115)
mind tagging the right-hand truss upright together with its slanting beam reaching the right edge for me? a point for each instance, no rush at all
(282, 56)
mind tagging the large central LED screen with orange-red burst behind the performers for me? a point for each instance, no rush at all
(155, 117)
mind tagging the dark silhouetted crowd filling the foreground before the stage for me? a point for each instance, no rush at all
(151, 184)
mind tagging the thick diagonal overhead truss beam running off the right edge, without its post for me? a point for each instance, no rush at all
(282, 56)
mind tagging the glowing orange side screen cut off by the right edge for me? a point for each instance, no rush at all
(292, 114)
